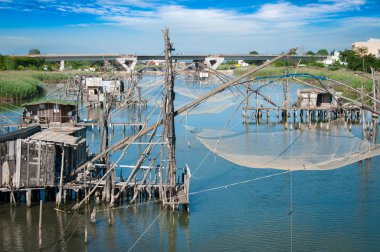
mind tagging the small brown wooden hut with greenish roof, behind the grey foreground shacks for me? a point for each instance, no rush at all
(50, 111)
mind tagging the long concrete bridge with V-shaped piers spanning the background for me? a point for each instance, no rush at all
(128, 62)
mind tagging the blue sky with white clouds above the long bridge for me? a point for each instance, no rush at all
(196, 26)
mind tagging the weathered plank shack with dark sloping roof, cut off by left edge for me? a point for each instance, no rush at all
(10, 146)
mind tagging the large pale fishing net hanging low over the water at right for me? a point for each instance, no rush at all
(306, 149)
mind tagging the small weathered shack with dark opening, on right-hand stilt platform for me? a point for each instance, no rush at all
(316, 99)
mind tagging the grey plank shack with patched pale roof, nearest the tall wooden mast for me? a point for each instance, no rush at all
(66, 144)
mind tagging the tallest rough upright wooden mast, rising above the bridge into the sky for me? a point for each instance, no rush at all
(169, 129)
